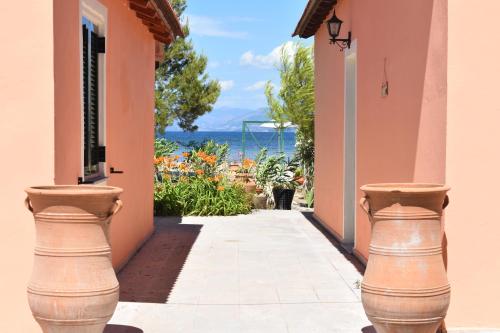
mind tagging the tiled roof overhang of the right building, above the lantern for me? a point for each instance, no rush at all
(314, 15)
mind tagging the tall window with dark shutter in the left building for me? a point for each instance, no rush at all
(93, 48)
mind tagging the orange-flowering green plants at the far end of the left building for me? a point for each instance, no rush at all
(196, 183)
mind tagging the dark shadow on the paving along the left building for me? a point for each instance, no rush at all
(150, 275)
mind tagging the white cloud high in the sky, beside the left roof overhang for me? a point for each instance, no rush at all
(210, 27)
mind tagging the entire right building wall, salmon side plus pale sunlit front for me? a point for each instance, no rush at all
(438, 124)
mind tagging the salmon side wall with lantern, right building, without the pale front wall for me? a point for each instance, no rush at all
(401, 137)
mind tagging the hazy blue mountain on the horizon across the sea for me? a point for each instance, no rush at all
(226, 119)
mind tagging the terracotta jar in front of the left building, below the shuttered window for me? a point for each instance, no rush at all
(73, 287)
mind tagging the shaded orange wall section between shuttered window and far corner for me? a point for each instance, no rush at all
(130, 51)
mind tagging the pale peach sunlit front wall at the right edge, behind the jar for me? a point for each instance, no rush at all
(472, 164)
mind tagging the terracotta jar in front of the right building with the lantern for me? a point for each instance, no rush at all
(405, 288)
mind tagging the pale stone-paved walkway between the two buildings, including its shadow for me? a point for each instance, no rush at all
(271, 271)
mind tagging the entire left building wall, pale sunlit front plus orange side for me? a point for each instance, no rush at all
(40, 132)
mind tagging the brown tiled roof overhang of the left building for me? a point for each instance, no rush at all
(160, 19)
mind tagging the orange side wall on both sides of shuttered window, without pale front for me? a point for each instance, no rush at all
(129, 99)
